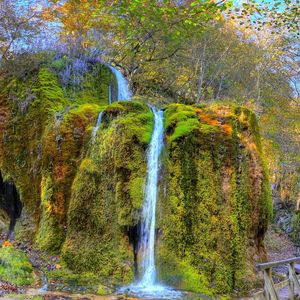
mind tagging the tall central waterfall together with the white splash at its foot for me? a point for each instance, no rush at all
(147, 286)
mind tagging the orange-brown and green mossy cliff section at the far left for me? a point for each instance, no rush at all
(44, 133)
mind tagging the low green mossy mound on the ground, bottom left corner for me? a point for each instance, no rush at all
(15, 267)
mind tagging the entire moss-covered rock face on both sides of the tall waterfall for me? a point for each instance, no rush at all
(214, 202)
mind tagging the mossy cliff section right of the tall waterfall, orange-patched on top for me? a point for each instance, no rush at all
(215, 201)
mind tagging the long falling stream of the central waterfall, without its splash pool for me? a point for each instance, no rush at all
(147, 238)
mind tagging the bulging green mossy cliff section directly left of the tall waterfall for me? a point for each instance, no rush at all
(107, 195)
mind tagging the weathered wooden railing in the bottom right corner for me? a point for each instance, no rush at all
(271, 289)
